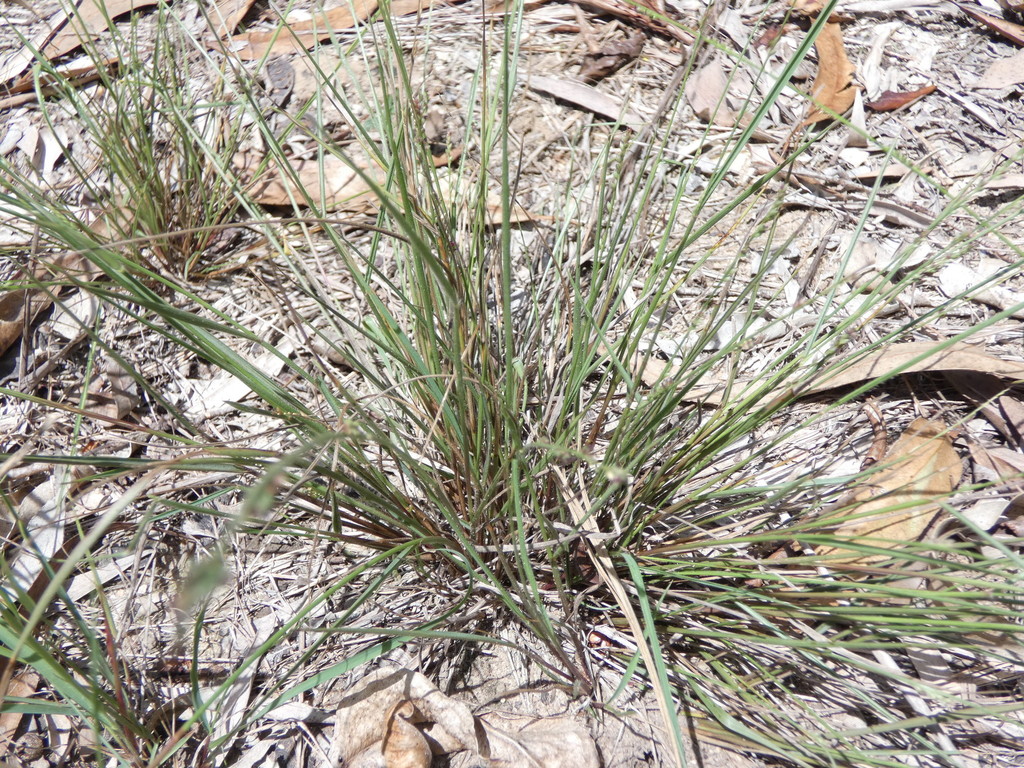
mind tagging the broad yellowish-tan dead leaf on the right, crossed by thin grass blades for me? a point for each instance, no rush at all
(902, 500)
